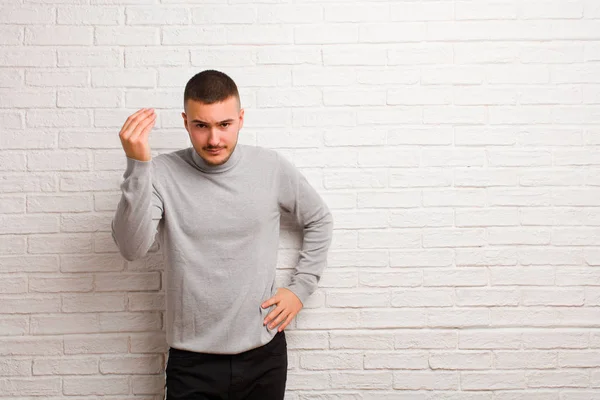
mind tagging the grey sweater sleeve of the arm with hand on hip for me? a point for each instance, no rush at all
(300, 199)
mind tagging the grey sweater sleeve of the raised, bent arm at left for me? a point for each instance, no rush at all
(139, 211)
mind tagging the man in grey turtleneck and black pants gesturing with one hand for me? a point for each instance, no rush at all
(216, 209)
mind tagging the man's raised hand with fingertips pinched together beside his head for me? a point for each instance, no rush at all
(134, 134)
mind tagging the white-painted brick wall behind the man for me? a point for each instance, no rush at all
(454, 140)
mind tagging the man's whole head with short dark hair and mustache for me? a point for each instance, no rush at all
(212, 115)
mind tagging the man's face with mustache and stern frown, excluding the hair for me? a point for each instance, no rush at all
(213, 128)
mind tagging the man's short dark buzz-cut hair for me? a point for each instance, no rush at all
(210, 87)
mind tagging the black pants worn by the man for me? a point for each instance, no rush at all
(257, 374)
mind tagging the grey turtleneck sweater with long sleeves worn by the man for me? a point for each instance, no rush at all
(218, 229)
